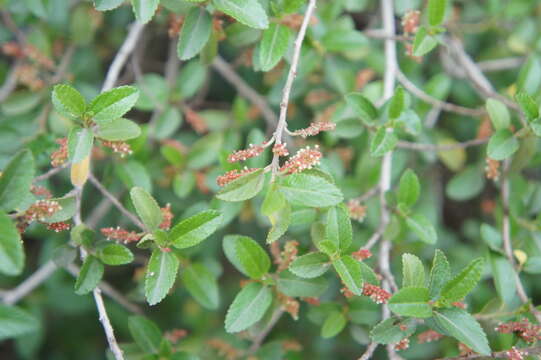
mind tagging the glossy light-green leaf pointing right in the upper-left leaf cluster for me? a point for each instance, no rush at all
(113, 104)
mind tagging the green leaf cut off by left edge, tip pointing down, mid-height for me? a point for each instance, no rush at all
(11, 247)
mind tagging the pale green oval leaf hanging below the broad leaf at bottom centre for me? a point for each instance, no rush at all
(249, 306)
